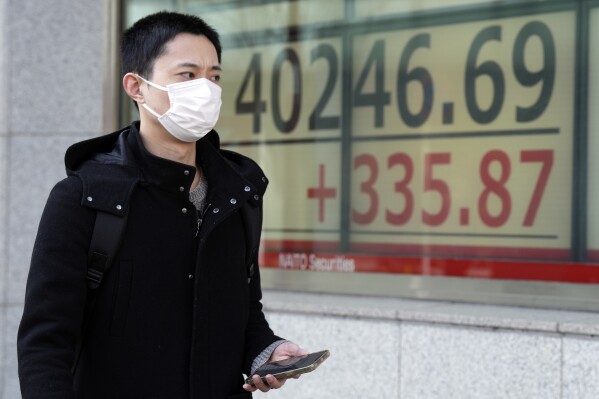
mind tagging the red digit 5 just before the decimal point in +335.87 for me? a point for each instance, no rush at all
(438, 185)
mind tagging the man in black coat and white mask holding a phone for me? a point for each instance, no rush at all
(176, 316)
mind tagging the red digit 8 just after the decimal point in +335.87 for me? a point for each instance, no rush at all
(497, 187)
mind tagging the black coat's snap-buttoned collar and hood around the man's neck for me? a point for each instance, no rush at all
(111, 166)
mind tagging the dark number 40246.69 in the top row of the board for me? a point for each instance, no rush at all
(251, 100)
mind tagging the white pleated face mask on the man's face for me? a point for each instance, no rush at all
(194, 110)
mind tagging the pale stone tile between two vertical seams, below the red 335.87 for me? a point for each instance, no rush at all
(446, 362)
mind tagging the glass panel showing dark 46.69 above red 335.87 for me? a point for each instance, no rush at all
(466, 135)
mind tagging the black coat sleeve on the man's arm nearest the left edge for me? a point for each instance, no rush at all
(55, 295)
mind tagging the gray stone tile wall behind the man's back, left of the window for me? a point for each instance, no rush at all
(51, 65)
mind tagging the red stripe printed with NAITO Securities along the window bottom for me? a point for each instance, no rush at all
(566, 272)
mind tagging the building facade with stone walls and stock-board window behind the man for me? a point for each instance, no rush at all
(431, 216)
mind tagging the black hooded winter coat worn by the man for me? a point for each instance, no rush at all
(175, 315)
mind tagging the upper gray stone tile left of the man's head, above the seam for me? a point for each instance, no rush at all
(55, 66)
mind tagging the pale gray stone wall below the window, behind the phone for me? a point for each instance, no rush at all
(406, 349)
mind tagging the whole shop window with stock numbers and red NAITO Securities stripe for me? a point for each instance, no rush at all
(433, 138)
